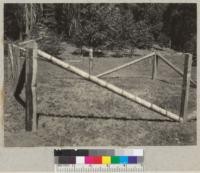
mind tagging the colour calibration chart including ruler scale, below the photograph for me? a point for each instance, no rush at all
(98, 160)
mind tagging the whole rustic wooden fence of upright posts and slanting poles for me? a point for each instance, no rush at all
(26, 76)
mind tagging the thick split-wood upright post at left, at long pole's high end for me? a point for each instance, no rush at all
(31, 72)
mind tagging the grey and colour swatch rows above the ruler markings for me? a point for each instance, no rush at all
(97, 157)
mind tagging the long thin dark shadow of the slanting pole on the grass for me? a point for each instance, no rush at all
(102, 118)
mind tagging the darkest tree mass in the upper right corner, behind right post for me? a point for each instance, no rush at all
(180, 25)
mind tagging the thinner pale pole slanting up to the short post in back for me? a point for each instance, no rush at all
(125, 65)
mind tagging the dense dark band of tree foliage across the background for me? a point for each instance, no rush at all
(116, 25)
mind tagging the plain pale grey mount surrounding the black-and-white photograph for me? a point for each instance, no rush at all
(156, 158)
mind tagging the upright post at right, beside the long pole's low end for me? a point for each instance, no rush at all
(186, 86)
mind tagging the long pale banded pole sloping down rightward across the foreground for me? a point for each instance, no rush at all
(109, 86)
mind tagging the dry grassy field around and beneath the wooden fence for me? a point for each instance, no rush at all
(75, 112)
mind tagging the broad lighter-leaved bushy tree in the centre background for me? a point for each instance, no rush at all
(111, 25)
